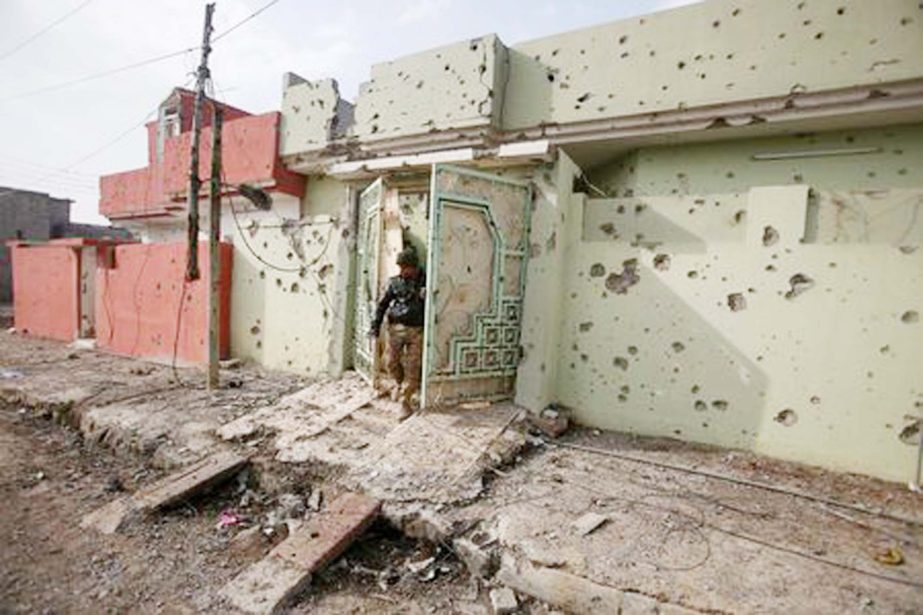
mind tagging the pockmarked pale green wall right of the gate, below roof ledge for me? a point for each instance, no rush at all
(768, 304)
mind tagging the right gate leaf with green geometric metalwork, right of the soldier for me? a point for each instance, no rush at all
(479, 232)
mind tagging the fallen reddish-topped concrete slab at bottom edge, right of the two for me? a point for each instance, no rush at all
(269, 584)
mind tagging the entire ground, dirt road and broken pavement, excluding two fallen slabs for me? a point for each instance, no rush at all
(679, 539)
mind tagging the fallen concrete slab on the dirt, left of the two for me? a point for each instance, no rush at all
(166, 492)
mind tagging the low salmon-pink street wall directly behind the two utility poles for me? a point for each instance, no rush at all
(141, 299)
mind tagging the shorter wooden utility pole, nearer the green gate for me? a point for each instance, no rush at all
(214, 252)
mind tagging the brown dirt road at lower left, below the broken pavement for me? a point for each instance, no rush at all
(173, 563)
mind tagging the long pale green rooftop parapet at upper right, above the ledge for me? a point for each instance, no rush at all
(712, 52)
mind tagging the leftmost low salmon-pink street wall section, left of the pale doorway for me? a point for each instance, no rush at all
(46, 290)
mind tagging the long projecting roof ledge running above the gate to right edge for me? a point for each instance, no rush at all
(738, 119)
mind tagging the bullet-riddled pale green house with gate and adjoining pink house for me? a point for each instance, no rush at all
(699, 224)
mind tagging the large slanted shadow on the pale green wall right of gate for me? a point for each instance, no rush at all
(643, 359)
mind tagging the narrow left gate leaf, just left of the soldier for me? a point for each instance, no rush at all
(368, 247)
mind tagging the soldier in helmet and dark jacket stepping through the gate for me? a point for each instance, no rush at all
(403, 303)
